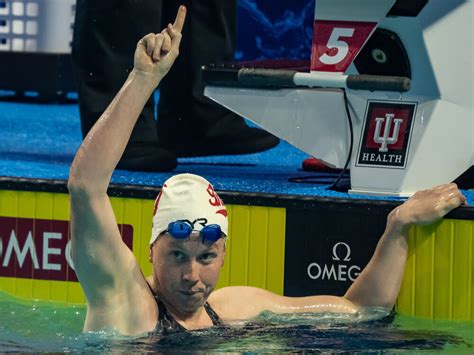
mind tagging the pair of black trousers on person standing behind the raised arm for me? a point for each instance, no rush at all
(105, 37)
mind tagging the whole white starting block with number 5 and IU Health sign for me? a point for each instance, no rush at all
(388, 93)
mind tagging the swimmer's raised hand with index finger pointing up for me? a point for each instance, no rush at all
(156, 53)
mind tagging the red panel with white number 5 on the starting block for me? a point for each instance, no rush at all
(337, 43)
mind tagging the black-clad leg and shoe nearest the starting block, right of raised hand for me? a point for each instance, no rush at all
(190, 124)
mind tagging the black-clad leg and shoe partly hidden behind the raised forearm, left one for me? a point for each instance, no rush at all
(105, 37)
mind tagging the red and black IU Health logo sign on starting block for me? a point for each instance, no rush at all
(386, 136)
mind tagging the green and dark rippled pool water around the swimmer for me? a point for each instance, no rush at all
(53, 327)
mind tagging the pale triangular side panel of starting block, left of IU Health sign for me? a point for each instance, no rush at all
(290, 114)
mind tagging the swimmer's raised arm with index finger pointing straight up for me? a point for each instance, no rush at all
(102, 261)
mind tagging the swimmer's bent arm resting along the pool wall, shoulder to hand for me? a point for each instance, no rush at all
(377, 285)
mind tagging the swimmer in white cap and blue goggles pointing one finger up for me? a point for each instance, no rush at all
(190, 229)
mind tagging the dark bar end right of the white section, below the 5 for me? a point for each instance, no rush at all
(378, 83)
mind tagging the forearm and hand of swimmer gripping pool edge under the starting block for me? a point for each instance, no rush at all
(380, 281)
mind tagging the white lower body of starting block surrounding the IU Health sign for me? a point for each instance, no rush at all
(315, 121)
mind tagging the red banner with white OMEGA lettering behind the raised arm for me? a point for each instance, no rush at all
(40, 249)
